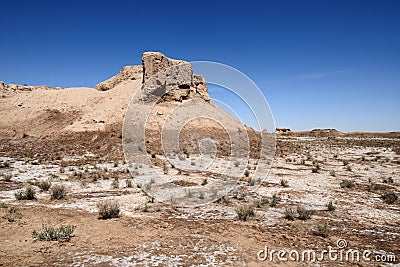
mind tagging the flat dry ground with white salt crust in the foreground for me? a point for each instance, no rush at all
(353, 173)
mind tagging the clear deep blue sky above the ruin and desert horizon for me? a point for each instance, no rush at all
(320, 64)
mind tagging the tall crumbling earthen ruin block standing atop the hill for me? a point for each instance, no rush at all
(186, 85)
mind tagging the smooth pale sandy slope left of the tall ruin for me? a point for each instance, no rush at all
(45, 112)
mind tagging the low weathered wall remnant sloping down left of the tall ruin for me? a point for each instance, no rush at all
(125, 74)
